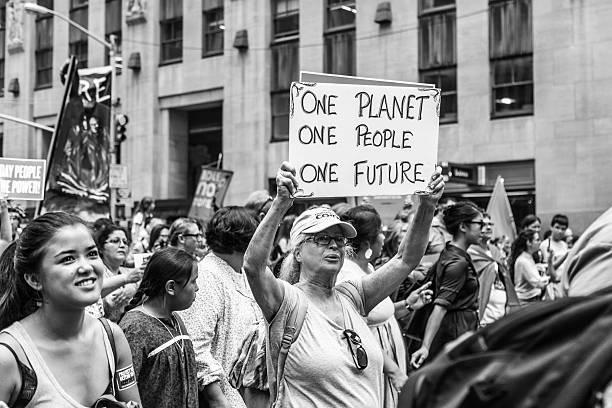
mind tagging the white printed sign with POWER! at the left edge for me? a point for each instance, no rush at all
(22, 179)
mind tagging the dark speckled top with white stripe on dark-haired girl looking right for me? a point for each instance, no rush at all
(164, 361)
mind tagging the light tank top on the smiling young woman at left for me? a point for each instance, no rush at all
(49, 393)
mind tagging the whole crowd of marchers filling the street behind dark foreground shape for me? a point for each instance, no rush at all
(257, 307)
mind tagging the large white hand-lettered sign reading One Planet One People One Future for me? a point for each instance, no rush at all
(356, 140)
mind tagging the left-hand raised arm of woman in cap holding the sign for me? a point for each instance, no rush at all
(268, 292)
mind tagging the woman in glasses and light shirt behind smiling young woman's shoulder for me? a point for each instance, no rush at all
(120, 283)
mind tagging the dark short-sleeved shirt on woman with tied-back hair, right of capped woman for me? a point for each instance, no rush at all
(458, 289)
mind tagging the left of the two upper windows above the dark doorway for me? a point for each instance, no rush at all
(171, 29)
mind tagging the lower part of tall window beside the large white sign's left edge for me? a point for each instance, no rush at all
(285, 69)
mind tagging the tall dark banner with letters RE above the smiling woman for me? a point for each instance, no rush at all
(79, 155)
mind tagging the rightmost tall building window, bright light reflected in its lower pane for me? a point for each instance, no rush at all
(511, 55)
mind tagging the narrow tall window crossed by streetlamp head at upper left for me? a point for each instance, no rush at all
(44, 47)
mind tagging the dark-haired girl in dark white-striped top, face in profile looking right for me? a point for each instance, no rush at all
(164, 360)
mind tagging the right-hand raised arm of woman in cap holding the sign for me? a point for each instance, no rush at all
(381, 284)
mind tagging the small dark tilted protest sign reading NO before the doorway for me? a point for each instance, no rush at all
(210, 192)
